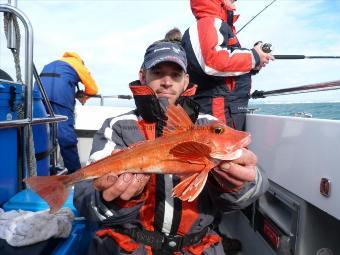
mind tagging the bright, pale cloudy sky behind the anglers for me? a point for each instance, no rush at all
(111, 37)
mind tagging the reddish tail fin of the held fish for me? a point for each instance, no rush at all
(53, 189)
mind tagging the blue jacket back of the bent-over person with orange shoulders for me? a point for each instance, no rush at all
(60, 90)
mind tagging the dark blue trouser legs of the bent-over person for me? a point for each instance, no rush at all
(67, 138)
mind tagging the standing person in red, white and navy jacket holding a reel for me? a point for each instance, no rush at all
(218, 64)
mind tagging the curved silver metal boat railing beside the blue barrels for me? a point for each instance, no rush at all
(28, 119)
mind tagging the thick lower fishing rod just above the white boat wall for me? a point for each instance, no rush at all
(324, 86)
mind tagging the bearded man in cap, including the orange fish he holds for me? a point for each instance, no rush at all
(163, 171)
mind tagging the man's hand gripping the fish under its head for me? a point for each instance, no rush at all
(232, 175)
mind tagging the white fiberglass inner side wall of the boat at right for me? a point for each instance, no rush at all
(296, 153)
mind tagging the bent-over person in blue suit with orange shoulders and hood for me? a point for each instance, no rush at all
(60, 80)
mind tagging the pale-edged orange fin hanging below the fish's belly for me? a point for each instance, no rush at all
(191, 187)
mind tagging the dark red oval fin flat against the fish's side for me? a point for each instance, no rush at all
(190, 150)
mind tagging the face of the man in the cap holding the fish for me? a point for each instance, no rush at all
(166, 79)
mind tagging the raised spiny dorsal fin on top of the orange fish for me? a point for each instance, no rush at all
(178, 120)
